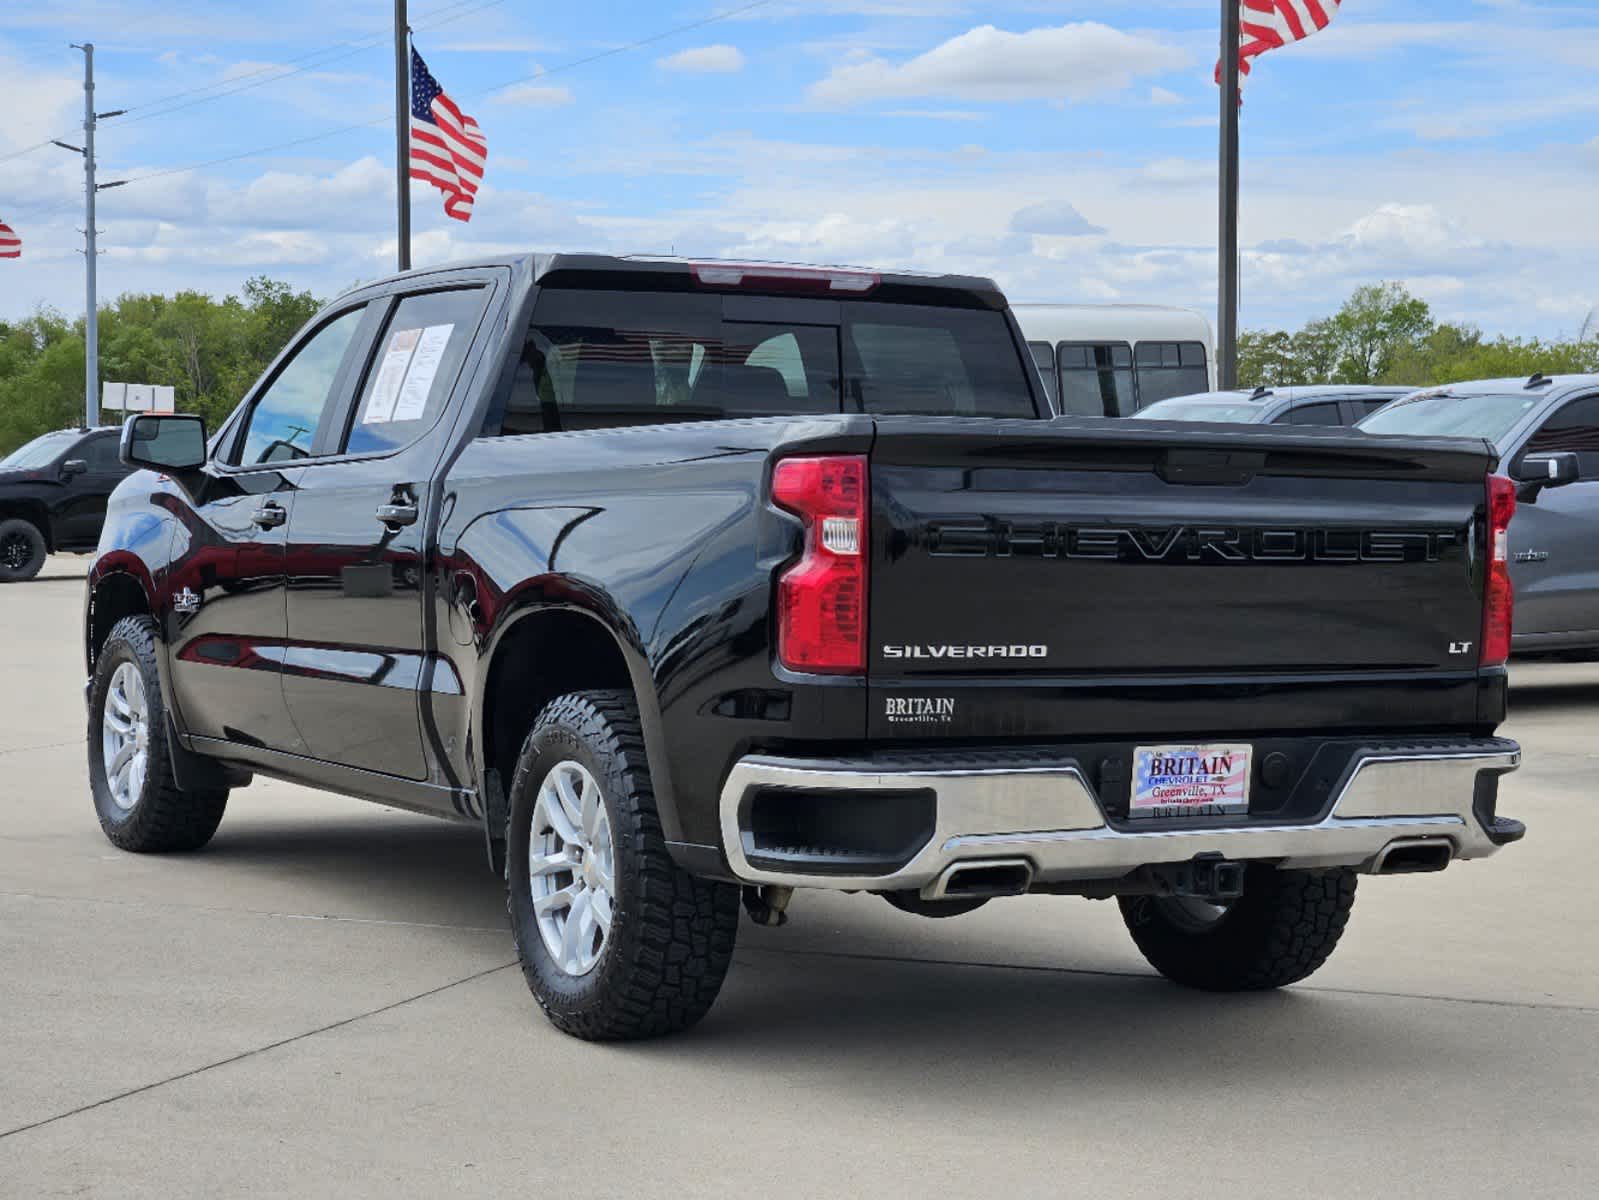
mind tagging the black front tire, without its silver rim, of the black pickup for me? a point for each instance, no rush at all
(165, 817)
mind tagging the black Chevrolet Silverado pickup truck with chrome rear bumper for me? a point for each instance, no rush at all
(690, 580)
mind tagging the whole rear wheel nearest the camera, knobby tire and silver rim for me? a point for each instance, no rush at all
(616, 942)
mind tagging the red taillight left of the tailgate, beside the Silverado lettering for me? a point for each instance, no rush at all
(823, 599)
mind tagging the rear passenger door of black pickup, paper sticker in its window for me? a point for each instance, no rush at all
(357, 652)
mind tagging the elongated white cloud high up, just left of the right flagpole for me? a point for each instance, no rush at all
(1064, 63)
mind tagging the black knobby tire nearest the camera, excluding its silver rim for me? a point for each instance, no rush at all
(671, 940)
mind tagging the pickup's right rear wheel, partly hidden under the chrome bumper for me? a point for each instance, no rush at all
(1277, 934)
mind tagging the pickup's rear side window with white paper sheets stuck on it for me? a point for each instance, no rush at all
(415, 369)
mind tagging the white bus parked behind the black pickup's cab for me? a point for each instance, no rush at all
(1115, 359)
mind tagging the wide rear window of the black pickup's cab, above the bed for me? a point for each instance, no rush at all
(607, 359)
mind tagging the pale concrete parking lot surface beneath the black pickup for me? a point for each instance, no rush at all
(325, 1002)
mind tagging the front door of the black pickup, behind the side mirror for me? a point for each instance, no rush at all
(228, 575)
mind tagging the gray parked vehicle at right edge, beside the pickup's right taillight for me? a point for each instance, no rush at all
(1547, 434)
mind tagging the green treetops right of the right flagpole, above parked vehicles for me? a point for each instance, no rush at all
(1386, 335)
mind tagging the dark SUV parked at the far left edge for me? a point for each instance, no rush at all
(54, 497)
